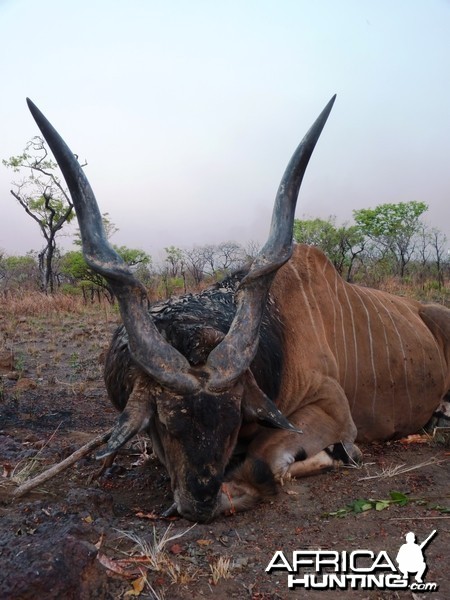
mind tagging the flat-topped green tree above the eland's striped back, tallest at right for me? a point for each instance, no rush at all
(392, 228)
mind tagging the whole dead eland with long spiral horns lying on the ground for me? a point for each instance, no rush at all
(272, 373)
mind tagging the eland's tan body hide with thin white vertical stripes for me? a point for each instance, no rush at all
(356, 349)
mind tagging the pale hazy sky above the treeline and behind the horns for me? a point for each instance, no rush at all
(187, 112)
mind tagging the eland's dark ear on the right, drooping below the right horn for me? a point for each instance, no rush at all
(259, 408)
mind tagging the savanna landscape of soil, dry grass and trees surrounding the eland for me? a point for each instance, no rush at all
(81, 536)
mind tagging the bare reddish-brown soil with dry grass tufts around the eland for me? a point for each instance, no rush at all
(77, 538)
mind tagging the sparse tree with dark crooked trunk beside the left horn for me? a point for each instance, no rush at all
(44, 199)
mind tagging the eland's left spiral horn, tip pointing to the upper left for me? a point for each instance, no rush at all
(147, 346)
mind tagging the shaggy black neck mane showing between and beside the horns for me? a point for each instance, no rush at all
(194, 324)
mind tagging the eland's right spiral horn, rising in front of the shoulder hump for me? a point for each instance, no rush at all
(237, 350)
